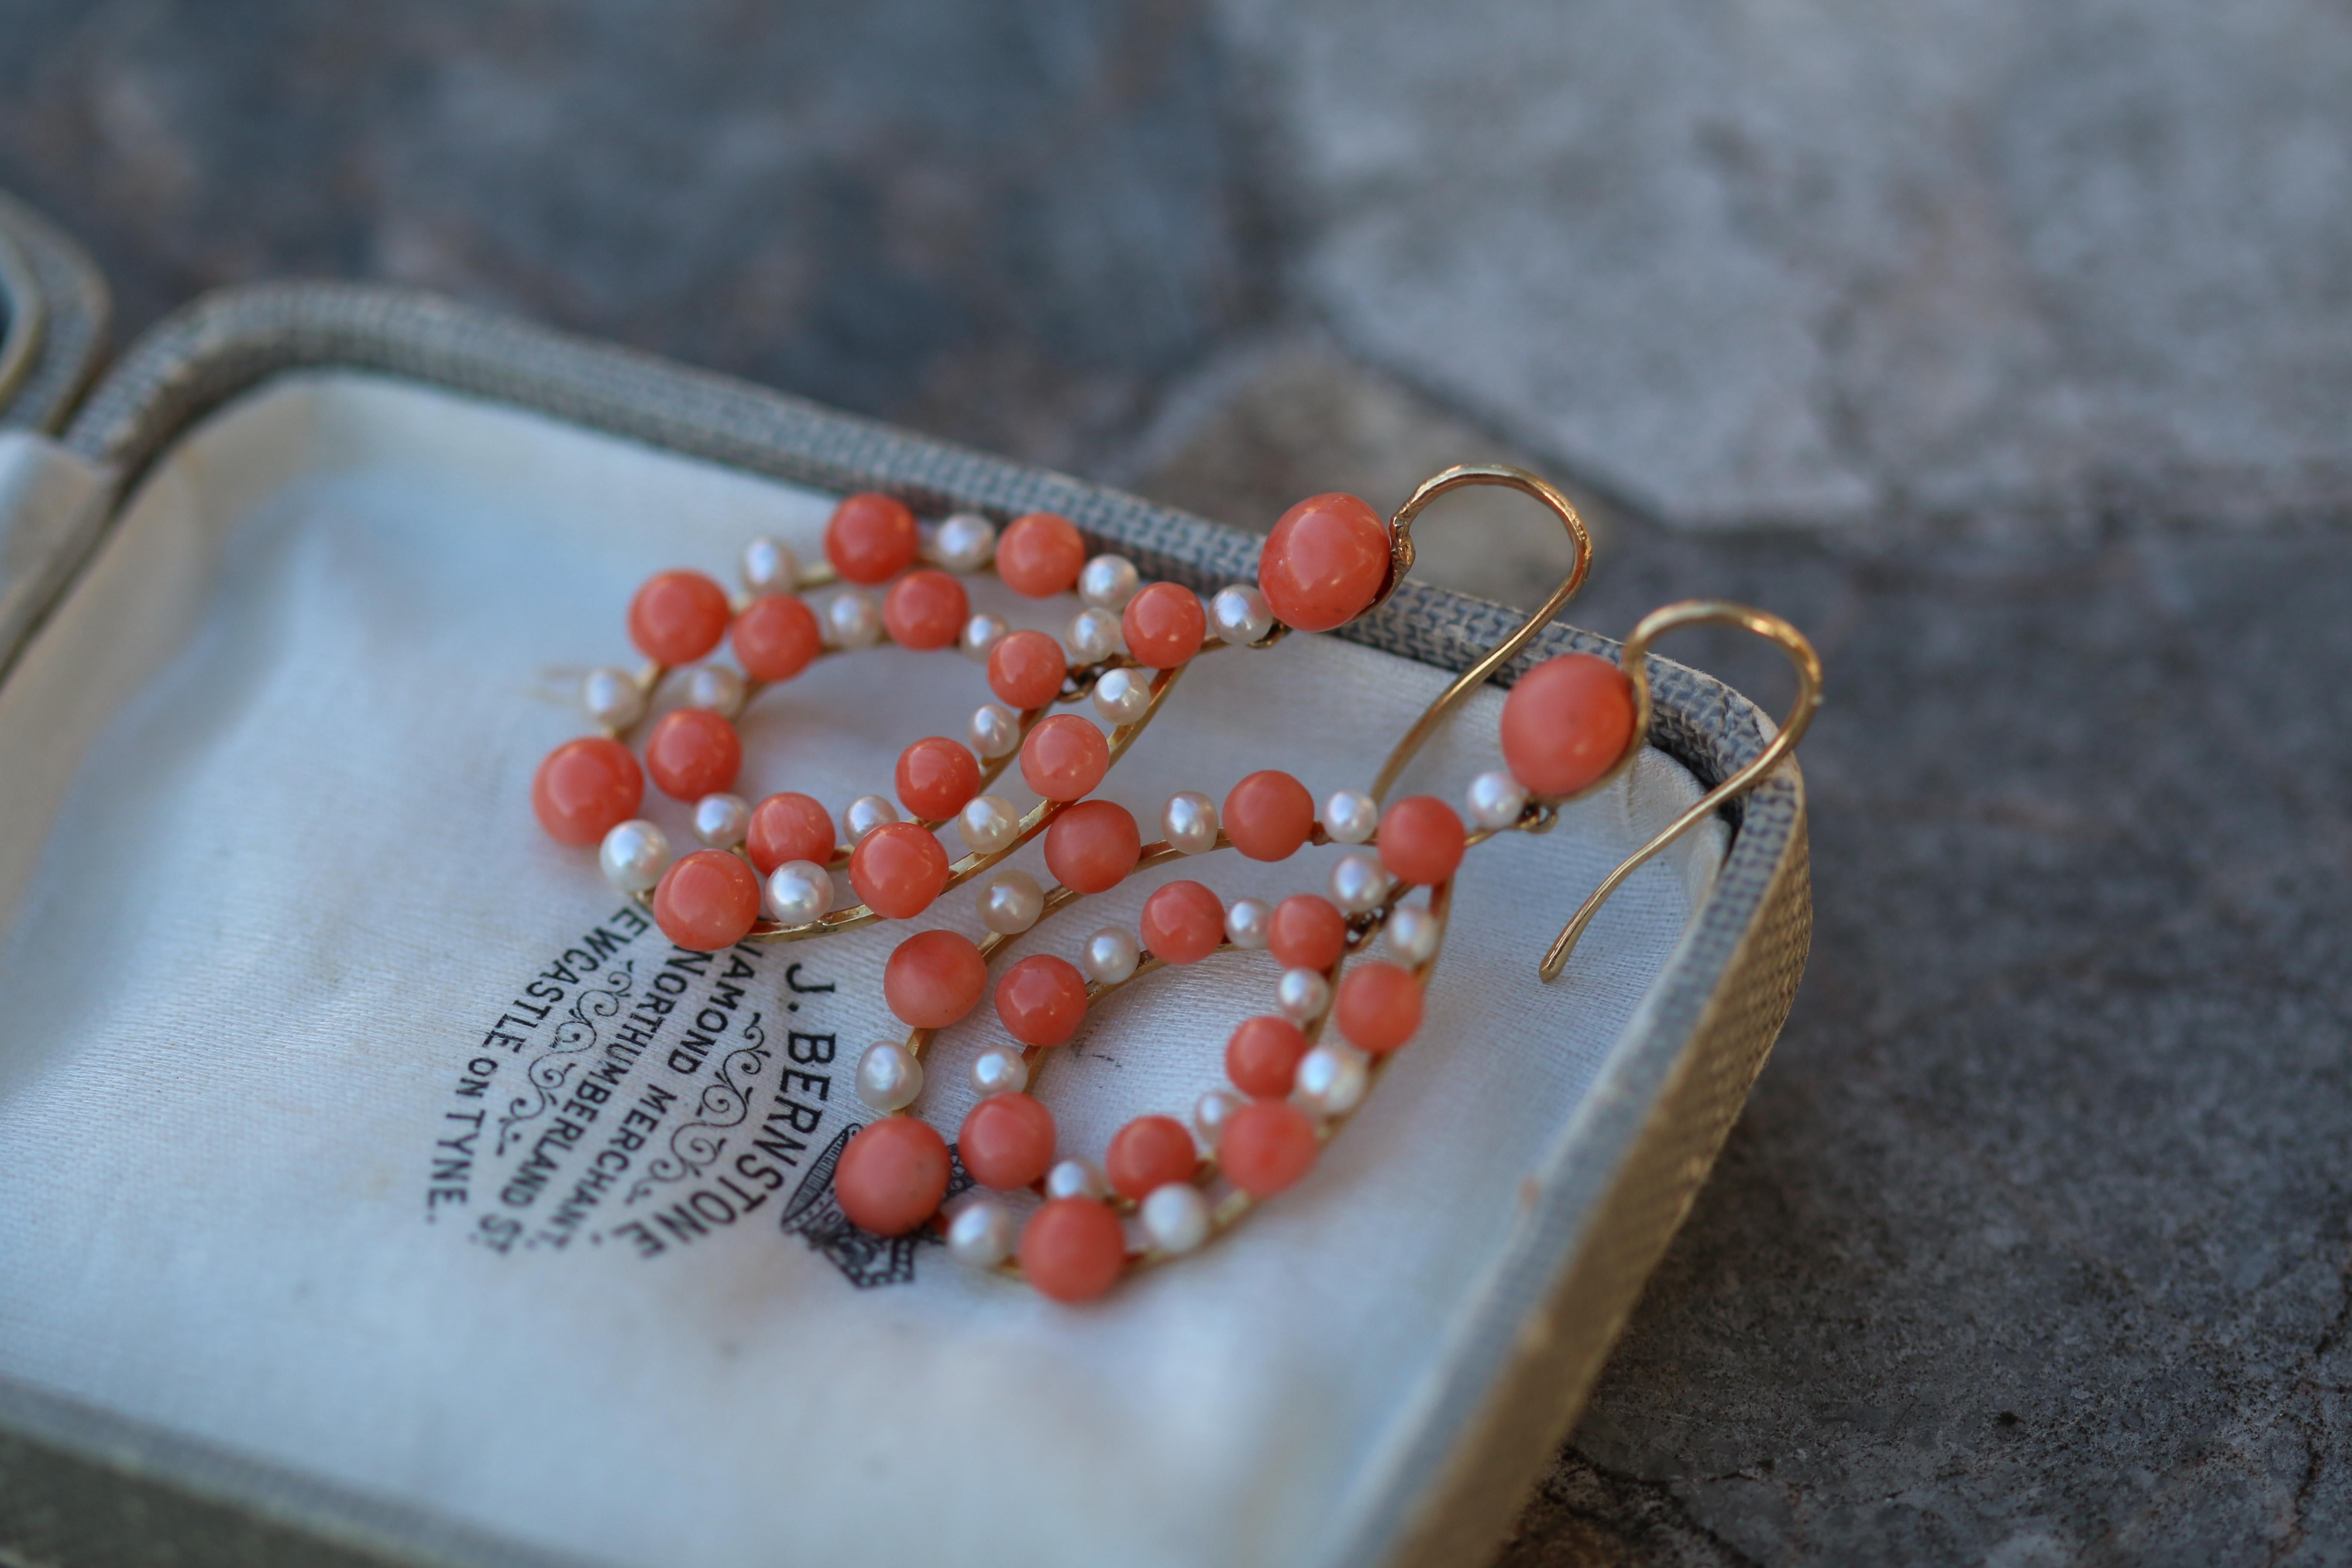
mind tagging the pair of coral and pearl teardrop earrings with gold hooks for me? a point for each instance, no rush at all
(1351, 960)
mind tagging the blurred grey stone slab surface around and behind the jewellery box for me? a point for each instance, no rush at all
(2003, 344)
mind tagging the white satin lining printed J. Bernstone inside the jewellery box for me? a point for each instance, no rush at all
(283, 956)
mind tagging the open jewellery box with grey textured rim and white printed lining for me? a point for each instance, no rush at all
(293, 605)
